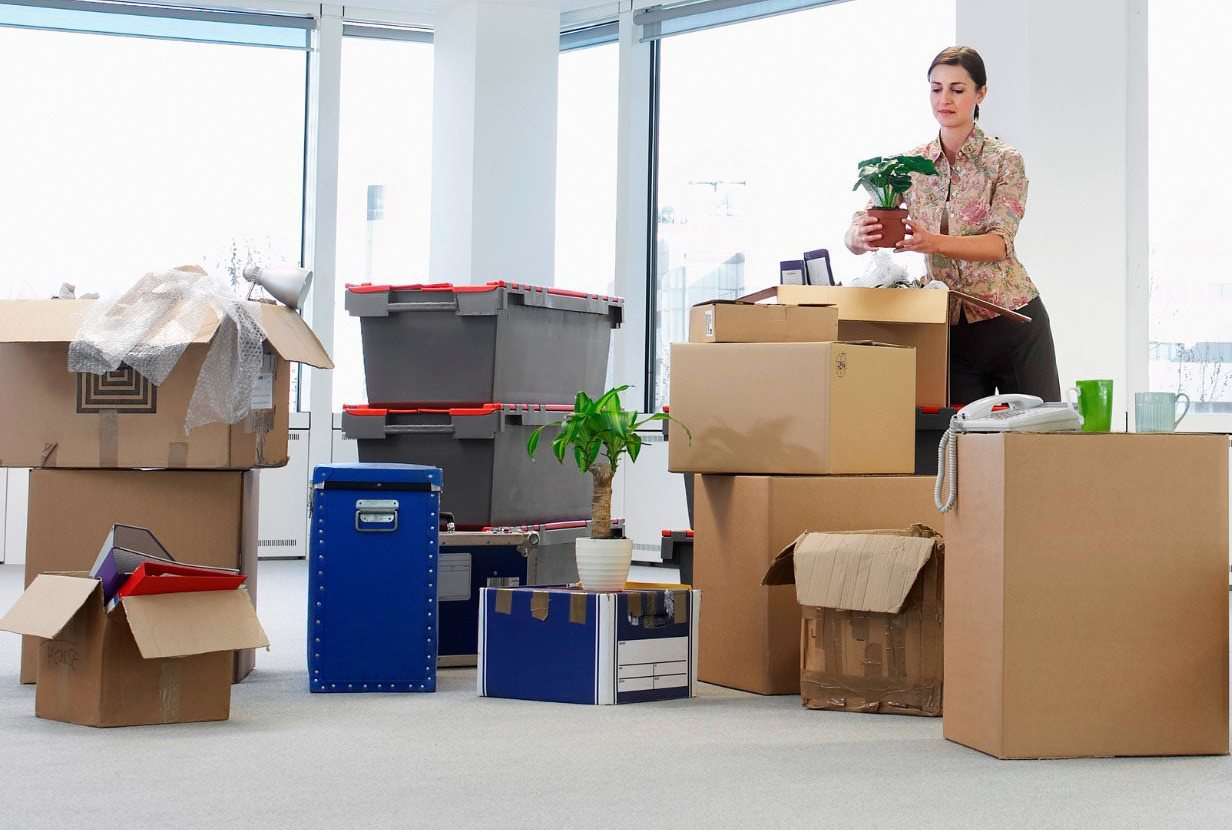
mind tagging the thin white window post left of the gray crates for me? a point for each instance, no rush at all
(321, 222)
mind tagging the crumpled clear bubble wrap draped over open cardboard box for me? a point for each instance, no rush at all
(150, 326)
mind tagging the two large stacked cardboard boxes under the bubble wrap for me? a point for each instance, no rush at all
(108, 449)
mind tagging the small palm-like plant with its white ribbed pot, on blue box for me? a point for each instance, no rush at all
(599, 433)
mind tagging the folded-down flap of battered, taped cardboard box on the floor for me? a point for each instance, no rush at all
(853, 572)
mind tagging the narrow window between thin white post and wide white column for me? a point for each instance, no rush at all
(384, 182)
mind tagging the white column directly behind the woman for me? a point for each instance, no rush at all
(1059, 91)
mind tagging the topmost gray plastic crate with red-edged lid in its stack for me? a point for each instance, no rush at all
(465, 345)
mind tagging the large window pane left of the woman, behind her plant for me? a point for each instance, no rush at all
(761, 127)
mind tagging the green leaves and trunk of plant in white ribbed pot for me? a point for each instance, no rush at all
(599, 433)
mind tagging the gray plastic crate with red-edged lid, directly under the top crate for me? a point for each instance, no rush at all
(490, 480)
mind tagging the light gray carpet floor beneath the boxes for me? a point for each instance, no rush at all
(289, 759)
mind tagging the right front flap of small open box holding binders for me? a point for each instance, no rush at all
(182, 625)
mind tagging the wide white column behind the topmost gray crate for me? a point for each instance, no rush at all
(495, 142)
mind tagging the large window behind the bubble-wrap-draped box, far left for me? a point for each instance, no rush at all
(124, 156)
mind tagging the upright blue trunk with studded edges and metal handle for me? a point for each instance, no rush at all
(373, 619)
